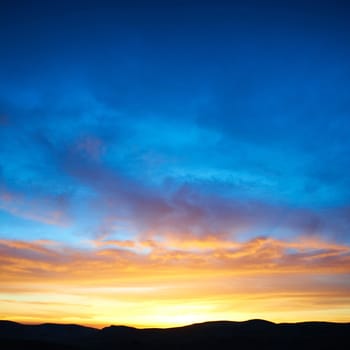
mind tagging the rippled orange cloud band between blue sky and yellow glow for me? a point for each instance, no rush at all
(132, 259)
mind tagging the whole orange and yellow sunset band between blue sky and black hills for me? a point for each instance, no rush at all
(150, 283)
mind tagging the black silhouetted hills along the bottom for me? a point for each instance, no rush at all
(253, 334)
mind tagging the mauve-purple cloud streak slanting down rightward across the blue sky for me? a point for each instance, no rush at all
(184, 207)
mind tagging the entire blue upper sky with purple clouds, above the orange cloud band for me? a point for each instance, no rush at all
(123, 118)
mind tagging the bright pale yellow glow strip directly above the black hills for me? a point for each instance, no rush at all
(99, 312)
